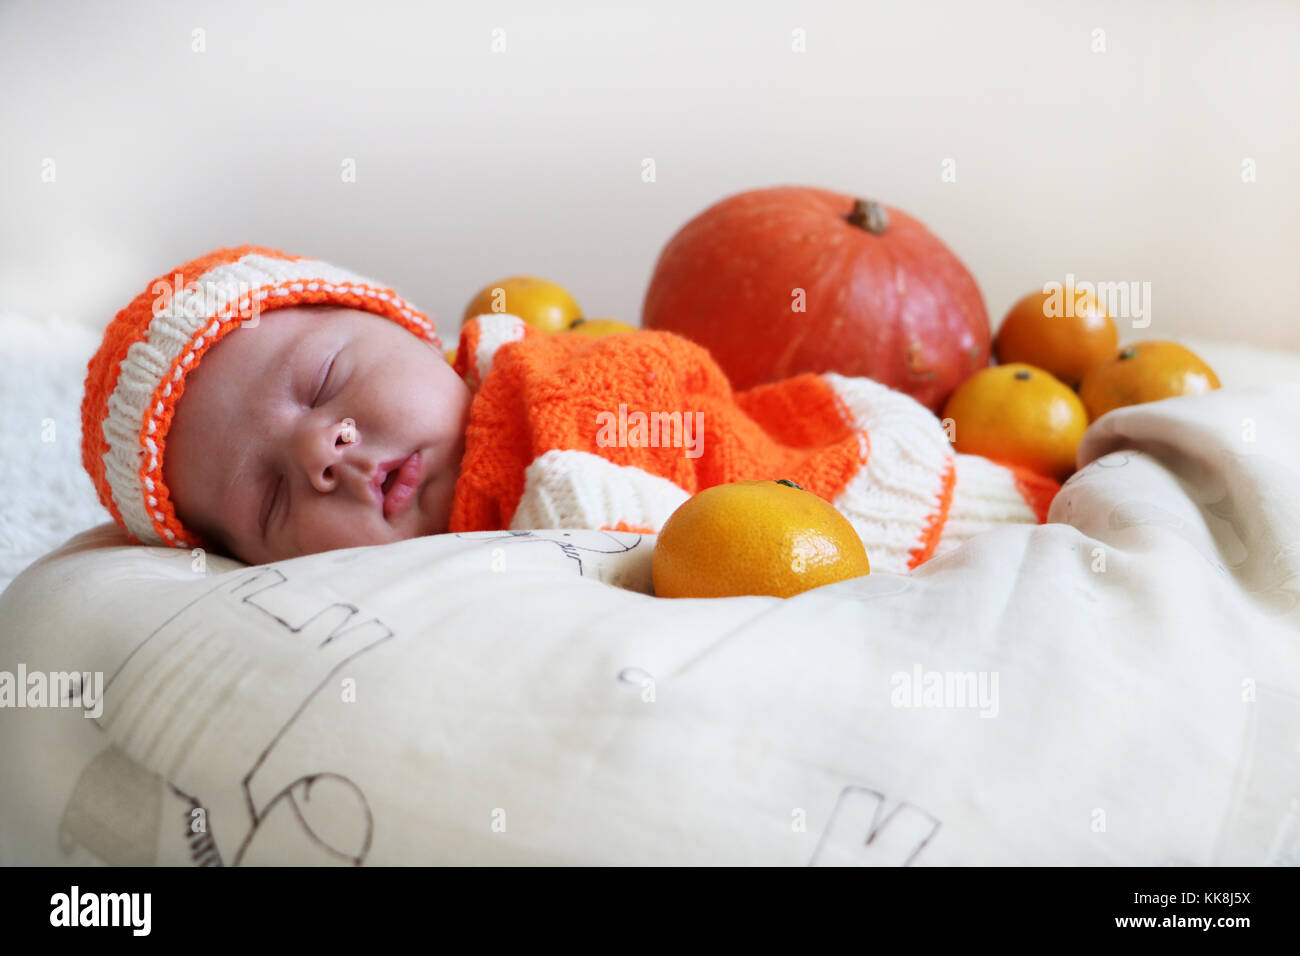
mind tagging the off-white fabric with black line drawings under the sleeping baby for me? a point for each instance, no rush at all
(1120, 686)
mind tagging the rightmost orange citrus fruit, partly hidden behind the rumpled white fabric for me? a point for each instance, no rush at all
(1145, 373)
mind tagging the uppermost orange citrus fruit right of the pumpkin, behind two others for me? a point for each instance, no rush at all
(1067, 345)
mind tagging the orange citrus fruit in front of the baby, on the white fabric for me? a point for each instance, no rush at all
(755, 538)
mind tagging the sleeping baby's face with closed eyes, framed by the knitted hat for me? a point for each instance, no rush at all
(283, 435)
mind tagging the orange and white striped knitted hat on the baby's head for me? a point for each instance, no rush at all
(137, 378)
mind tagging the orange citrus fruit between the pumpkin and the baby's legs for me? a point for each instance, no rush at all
(1019, 416)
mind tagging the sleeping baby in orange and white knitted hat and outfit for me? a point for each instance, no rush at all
(319, 413)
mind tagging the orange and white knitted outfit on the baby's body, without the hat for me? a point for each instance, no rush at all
(617, 432)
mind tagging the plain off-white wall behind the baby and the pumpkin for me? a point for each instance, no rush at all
(473, 166)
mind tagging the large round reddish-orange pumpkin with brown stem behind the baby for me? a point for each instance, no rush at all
(794, 279)
